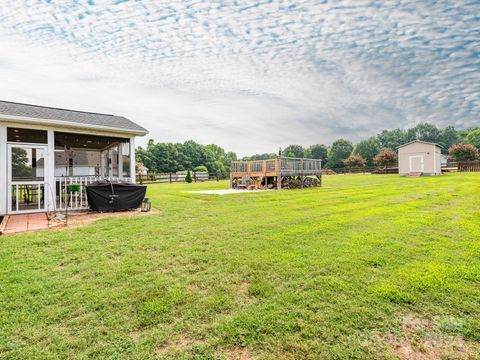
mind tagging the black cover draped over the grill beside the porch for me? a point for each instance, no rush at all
(103, 196)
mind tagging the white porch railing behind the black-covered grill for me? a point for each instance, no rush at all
(77, 200)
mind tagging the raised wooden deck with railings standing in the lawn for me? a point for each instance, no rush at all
(273, 173)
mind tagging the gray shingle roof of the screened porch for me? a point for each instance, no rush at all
(72, 116)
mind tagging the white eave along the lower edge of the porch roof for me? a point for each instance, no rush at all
(71, 124)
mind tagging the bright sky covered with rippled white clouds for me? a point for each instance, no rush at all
(249, 76)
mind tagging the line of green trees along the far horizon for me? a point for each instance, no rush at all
(376, 150)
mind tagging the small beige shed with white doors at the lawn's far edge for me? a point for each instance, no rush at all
(419, 158)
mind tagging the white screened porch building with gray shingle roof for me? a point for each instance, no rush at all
(44, 150)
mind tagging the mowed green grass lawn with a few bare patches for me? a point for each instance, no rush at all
(368, 266)
